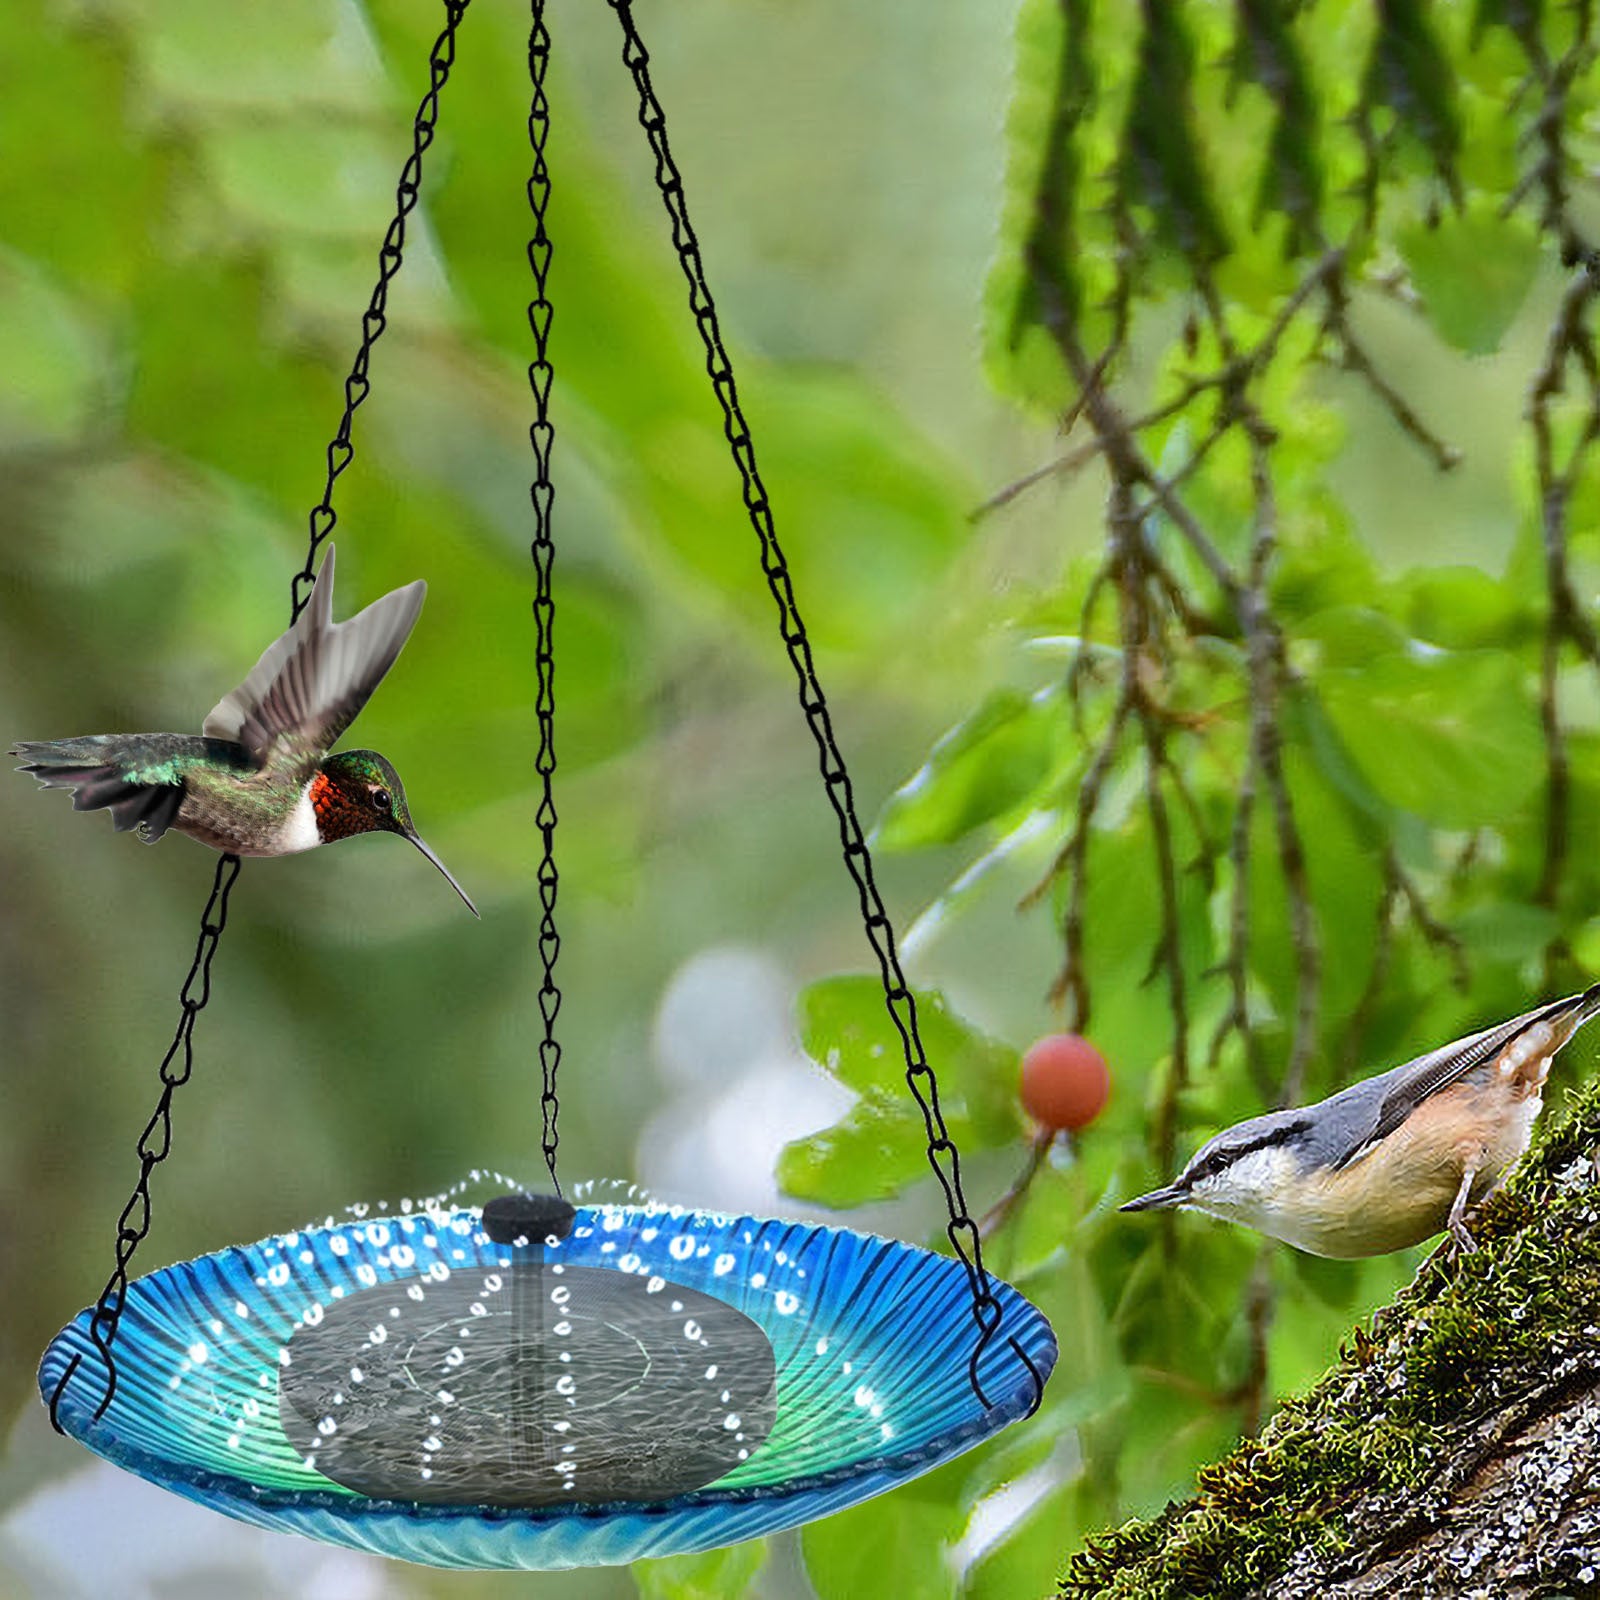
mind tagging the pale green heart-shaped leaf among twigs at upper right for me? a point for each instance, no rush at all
(1473, 273)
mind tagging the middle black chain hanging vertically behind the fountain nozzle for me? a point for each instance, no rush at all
(542, 434)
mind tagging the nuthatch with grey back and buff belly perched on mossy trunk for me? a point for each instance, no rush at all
(1390, 1161)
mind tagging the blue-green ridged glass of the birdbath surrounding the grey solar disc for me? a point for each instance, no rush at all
(871, 1338)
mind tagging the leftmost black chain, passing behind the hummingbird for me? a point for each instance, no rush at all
(156, 1143)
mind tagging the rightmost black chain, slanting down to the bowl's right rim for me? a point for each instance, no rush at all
(943, 1156)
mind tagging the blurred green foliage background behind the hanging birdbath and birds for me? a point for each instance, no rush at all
(191, 209)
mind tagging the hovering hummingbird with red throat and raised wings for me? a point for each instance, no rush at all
(258, 780)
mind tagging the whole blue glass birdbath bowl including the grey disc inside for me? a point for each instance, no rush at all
(684, 1380)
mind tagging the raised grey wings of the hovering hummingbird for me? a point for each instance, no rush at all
(310, 686)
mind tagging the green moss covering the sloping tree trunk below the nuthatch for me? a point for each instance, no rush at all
(1409, 1385)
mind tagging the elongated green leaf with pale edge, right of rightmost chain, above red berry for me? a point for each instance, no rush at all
(982, 769)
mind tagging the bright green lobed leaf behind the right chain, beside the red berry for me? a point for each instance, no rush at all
(879, 1148)
